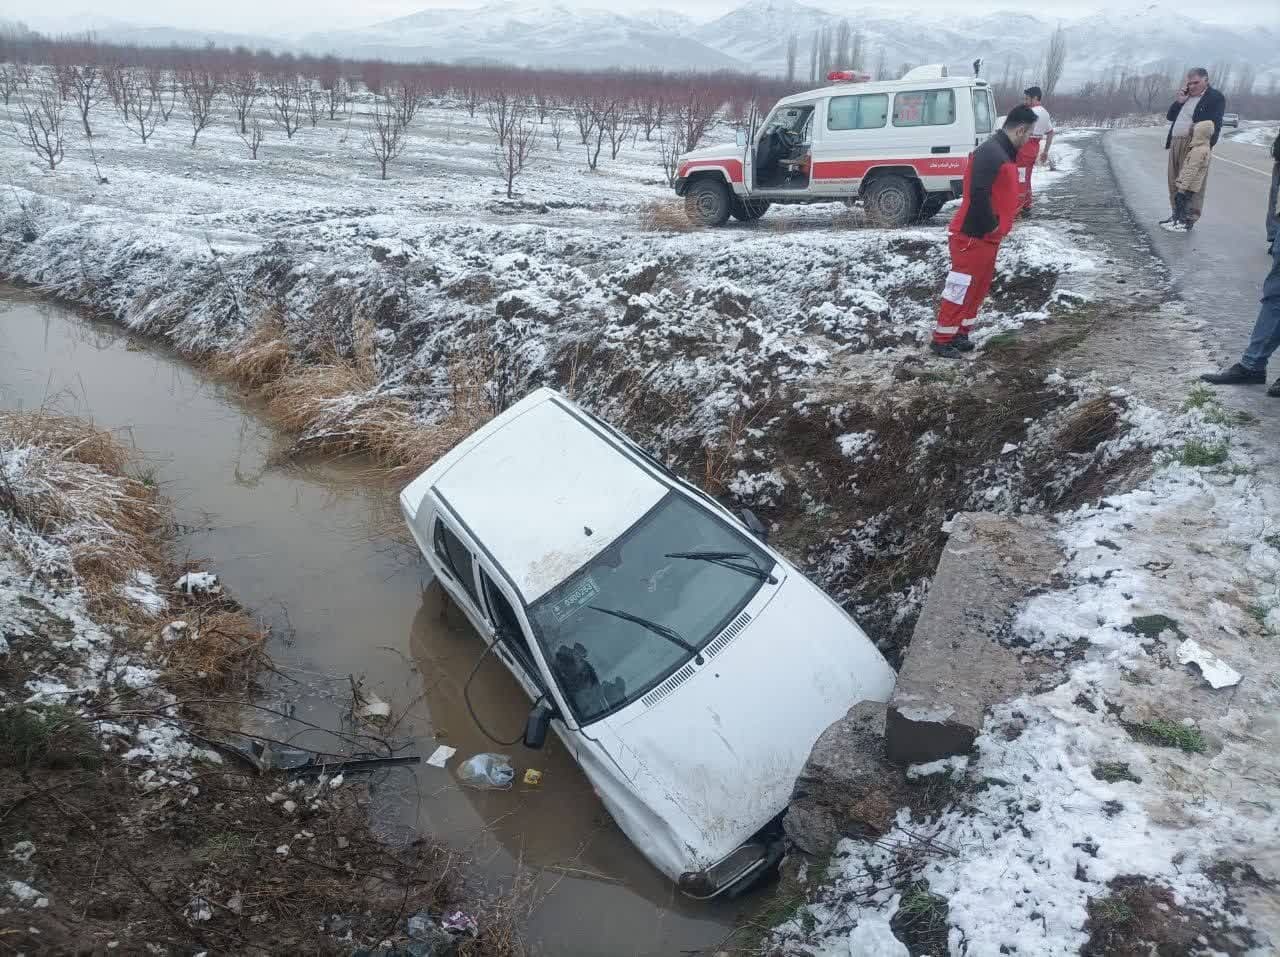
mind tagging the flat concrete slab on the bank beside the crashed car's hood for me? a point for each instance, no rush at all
(957, 667)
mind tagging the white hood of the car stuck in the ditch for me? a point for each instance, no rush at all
(728, 745)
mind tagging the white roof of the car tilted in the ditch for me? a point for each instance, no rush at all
(545, 489)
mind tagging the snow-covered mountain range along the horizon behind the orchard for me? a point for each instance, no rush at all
(552, 34)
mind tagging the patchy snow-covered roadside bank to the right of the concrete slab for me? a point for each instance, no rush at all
(1068, 789)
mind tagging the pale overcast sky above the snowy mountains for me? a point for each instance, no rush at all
(304, 16)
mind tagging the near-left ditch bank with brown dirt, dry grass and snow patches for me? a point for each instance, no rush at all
(125, 827)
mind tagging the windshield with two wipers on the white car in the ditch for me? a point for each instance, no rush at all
(604, 662)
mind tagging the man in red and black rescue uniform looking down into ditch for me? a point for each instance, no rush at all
(991, 204)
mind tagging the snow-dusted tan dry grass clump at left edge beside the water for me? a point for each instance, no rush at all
(76, 511)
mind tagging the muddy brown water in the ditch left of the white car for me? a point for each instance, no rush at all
(310, 548)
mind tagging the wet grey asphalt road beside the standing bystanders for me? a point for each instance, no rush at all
(1218, 269)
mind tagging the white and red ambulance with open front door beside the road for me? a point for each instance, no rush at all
(899, 148)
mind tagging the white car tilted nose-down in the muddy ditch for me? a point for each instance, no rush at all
(685, 665)
